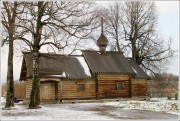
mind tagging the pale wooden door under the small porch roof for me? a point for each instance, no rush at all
(47, 92)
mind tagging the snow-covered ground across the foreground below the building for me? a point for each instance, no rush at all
(94, 111)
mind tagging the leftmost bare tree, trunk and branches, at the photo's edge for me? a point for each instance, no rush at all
(10, 11)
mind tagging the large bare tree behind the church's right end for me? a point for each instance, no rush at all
(140, 30)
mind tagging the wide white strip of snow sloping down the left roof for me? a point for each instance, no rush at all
(84, 65)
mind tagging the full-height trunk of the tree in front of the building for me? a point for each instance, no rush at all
(35, 92)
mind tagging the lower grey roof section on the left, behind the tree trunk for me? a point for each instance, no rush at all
(55, 64)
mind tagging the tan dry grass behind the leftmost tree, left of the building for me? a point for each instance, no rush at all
(19, 90)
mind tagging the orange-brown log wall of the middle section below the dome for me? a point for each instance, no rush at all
(107, 86)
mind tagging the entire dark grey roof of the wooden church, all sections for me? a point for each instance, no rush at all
(78, 67)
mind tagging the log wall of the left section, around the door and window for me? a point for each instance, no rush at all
(69, 89)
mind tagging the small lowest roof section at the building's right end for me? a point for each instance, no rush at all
(139, 73)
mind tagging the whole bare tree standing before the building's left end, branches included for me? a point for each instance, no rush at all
(57, 24)
